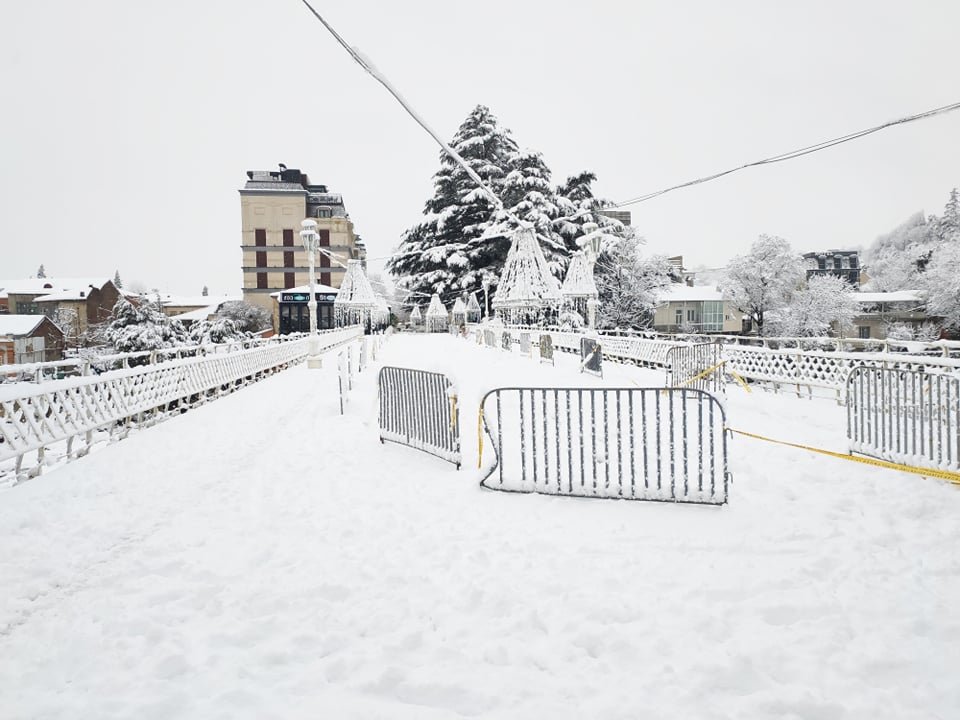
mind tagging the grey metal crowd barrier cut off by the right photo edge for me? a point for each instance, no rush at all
(905, 416)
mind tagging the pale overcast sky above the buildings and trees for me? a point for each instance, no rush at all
(127, 127)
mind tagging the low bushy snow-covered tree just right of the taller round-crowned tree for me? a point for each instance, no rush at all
(812, 310)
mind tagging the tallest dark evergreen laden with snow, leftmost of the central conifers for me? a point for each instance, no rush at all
(452, 248)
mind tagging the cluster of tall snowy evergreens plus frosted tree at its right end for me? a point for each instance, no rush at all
(461, 243)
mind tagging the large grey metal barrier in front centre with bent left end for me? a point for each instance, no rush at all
(630, 443)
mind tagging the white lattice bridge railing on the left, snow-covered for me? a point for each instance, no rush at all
(43, 417)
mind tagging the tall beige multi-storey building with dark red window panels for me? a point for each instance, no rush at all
(273, 203)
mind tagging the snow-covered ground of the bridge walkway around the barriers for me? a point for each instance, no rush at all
(264, 557)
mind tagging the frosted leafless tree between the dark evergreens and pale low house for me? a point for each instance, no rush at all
(628, 285)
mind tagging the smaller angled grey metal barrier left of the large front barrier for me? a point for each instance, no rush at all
(419, 409)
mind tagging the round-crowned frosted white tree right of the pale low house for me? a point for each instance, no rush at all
(762, 280)
